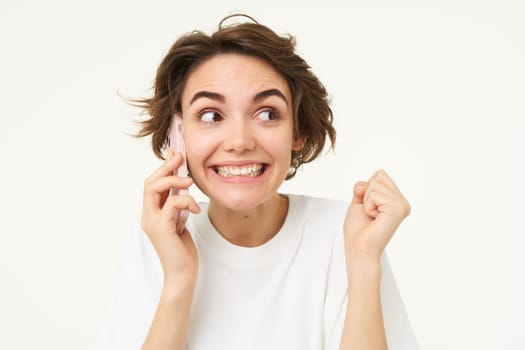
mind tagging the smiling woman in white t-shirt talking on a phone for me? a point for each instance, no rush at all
(253, 269)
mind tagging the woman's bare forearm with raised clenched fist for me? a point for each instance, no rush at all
(376, 211)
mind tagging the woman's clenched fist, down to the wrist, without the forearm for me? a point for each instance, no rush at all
(376, 210)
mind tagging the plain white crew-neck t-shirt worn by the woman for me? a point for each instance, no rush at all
(289, 293)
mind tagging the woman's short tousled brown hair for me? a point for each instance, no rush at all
(312, 115)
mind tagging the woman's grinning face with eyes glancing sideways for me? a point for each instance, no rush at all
(238, 130)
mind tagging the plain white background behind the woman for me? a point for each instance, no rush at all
(431, 91)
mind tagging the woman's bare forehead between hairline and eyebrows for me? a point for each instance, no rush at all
(234, 74)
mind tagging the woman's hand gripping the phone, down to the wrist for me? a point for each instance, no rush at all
(177, 253)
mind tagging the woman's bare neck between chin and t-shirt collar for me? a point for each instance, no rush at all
(250, 228)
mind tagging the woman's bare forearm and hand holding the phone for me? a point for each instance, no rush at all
(177, 254)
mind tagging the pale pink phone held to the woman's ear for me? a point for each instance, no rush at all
(176, 144)
